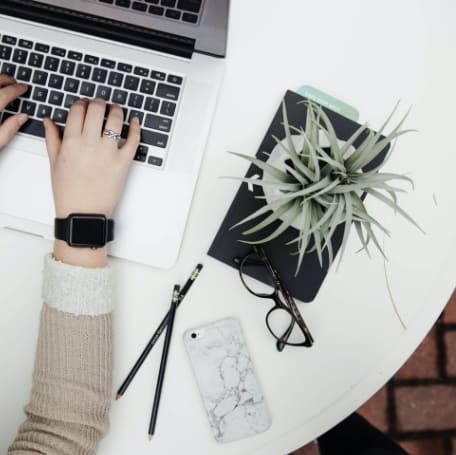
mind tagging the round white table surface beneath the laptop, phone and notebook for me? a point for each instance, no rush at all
(369, 54)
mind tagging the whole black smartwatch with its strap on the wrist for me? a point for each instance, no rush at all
(82, 230)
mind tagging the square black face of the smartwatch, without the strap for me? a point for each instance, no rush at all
(88, 231)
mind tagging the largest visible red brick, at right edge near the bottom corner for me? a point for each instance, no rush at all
(425, 407)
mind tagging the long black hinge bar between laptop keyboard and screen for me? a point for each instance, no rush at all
(99, 26)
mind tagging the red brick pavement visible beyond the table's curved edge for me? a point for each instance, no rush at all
(417, 407)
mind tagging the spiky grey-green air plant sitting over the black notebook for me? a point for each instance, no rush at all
(321, 185)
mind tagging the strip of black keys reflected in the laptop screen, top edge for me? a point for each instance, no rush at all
(187, 11)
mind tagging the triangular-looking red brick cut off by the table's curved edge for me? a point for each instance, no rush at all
(423, 362)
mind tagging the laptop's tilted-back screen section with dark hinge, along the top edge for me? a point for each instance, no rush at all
(172, 26)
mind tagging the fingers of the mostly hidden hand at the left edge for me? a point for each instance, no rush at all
(9, 91)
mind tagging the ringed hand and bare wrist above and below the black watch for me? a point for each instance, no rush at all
(88, 170)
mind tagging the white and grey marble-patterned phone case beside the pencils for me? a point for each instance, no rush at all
(230, 391)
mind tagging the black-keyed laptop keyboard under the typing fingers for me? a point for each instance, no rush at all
(57, 77)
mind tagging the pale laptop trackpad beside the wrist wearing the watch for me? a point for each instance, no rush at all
(25, 186)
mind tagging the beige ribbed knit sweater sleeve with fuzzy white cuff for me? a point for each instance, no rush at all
(71, 389)
